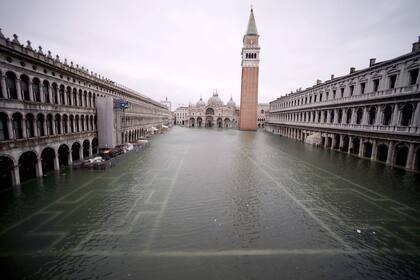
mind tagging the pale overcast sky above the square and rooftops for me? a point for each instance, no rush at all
(185, 49)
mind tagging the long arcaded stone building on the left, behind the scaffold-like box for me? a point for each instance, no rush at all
(48, 114)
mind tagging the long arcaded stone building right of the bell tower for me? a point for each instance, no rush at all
(372, 113)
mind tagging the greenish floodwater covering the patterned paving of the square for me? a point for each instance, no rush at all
(216, 204)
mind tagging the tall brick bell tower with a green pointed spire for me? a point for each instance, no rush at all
(249, 84)
